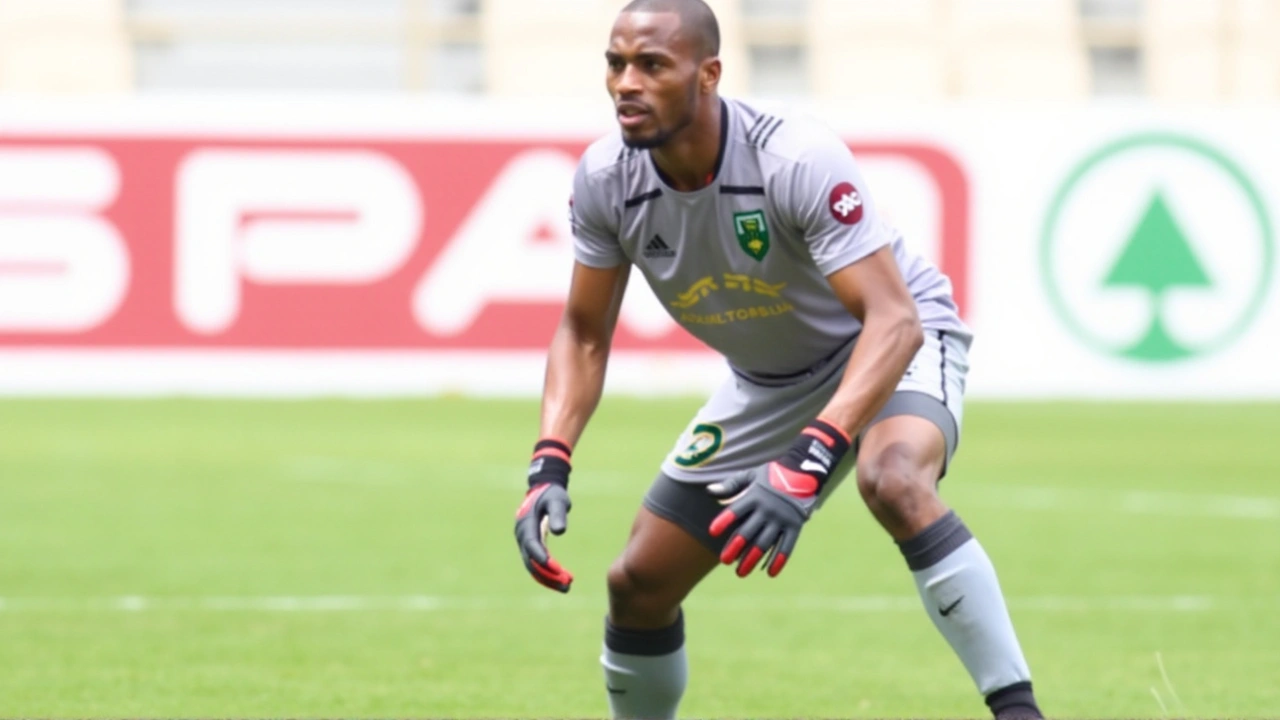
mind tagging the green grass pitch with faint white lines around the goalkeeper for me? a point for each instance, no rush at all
(356, 559)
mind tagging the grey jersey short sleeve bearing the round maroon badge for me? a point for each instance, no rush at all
(829, 199)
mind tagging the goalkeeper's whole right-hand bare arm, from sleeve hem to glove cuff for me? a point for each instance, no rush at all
(875, 293)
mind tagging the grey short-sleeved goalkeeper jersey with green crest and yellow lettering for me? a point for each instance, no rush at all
(742, 265)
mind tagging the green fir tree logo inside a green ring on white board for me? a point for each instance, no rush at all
(1156, 257)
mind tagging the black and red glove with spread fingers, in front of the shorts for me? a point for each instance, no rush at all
(772, 503)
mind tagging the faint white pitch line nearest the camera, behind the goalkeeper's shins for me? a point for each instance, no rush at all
(734, 604)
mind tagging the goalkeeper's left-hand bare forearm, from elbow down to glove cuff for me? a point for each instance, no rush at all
(574, 385)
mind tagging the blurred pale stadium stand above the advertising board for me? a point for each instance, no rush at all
(924, 51)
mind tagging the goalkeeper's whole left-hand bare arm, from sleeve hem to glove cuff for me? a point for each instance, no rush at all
(580, 350)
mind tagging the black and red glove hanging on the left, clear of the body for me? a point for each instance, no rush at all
(546, 508)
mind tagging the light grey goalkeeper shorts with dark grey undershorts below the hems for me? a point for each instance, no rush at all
(746, 425)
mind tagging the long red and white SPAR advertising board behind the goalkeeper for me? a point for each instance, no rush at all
(380, 248)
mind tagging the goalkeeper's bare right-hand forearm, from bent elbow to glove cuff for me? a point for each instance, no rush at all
(881, 357)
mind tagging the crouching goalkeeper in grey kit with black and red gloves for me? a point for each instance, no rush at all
(758, 235)
